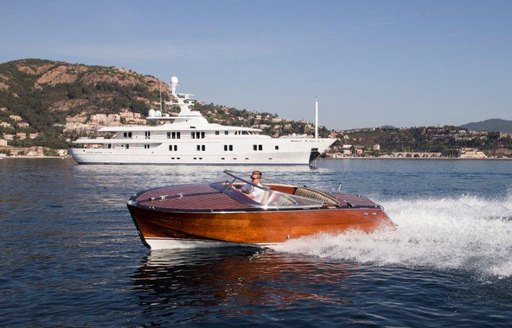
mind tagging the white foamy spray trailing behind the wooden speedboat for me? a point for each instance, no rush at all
(466, 233)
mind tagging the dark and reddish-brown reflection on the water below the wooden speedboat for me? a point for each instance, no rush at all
(229, 279)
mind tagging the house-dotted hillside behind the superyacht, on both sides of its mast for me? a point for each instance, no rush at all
(38, 97)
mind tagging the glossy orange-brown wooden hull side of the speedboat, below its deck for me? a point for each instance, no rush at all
(170, 229)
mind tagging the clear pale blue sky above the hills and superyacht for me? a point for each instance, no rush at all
(370, 63)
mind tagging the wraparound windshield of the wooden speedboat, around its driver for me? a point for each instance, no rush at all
(272, 198)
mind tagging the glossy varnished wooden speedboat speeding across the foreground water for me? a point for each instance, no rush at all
(220, 214)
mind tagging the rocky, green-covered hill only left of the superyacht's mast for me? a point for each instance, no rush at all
(43, 93)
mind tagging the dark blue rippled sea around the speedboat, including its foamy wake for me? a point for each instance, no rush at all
(72, 257)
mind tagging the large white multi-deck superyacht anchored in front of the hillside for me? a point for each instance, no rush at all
(188, 138)
